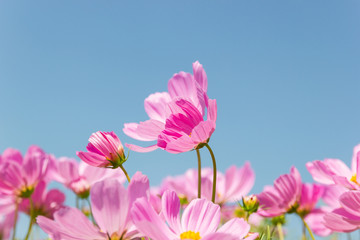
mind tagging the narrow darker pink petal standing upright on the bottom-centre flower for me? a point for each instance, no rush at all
(171, 209)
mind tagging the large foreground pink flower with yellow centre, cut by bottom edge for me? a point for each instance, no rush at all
(200, 220)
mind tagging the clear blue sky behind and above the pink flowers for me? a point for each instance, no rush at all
(285, 75)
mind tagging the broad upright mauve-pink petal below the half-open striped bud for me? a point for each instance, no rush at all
(110, 205)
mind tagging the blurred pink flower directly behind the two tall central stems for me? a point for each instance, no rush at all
(231, 187)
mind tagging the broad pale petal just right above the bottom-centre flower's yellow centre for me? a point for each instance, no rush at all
(201, 216)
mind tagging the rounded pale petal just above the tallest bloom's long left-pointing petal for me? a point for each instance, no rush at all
(155, 105)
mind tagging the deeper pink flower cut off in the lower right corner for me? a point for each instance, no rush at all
(347, 217)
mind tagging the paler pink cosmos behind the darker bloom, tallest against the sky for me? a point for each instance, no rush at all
(182, 85)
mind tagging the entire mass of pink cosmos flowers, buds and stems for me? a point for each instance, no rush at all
(202, 203)
